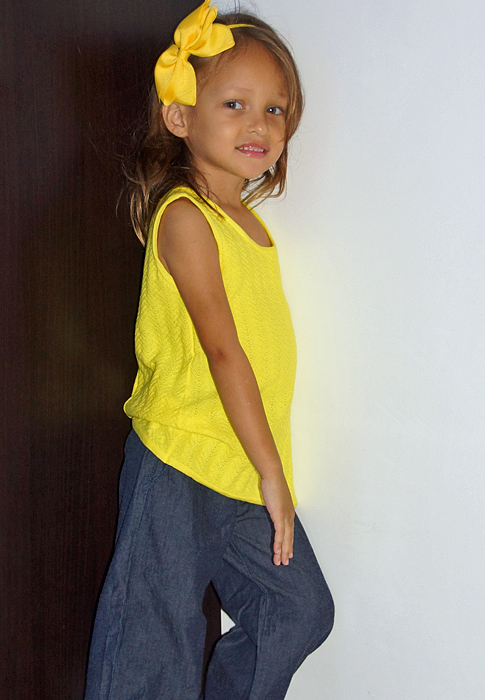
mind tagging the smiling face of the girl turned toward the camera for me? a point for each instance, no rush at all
(236, 131)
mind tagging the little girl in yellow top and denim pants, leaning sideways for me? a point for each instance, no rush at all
(206, 488)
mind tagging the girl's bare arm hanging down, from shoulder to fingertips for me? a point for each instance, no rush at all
(187, 248)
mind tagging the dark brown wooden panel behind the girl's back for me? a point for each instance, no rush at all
(74, 76)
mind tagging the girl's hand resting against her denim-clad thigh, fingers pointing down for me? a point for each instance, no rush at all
(280, 508)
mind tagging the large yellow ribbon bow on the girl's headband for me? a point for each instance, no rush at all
(197, 34)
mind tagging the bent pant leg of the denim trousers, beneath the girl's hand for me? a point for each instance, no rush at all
(282, 613)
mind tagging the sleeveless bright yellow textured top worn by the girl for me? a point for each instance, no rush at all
(175, 407)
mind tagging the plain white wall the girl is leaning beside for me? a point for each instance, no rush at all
(381, 241)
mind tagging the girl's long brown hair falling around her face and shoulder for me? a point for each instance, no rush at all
(161, 160)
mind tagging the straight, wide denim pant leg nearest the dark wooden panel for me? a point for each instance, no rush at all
(149, 632)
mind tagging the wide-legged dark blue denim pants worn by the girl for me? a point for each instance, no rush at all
(174, 536)
